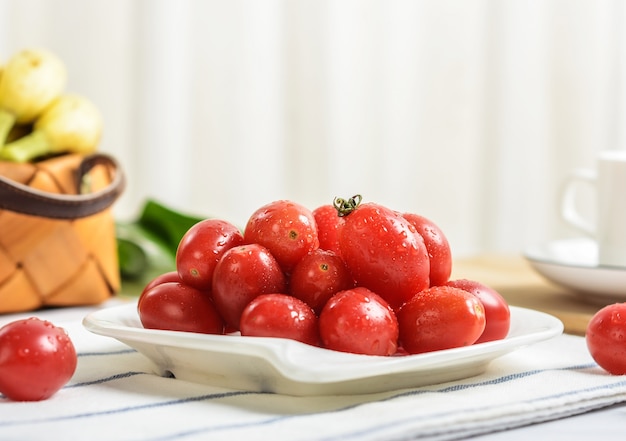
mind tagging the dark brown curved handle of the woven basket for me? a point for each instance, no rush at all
(23, 199)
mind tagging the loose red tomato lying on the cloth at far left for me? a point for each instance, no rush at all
(37, 359)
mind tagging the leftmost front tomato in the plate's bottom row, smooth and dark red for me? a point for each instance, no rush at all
(175, 306)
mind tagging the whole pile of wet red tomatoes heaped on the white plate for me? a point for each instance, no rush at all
(348, 276)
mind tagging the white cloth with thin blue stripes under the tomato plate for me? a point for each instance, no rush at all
(115, 396)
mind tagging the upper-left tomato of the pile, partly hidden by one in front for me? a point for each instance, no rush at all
(200, 249)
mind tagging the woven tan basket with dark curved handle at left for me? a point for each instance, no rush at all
(57, 232)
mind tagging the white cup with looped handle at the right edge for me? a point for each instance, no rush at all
(608, 181)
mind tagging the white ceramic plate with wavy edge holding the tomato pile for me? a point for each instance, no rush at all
(292, 368)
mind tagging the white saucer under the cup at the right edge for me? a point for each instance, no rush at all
(573, 264)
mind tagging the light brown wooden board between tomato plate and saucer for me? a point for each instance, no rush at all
(521, 285)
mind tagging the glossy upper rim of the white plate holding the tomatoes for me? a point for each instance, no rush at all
(352, 366)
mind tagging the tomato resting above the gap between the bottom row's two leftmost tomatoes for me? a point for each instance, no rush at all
(243, 273)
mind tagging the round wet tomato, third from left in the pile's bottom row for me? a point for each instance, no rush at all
(359, 321)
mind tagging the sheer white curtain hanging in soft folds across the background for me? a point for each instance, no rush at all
(468, 112)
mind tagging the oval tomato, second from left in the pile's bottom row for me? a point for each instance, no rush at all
(280, 315)
